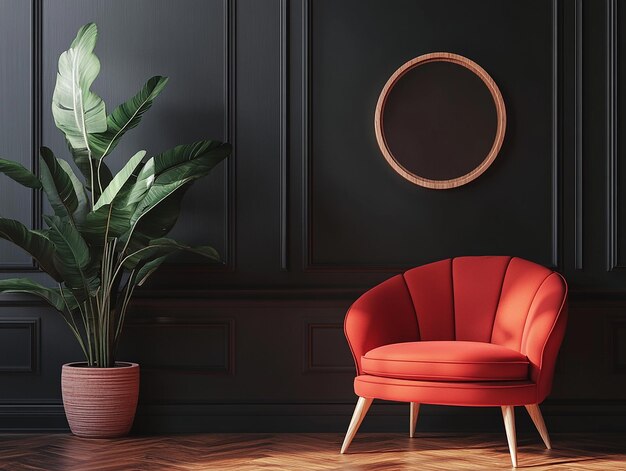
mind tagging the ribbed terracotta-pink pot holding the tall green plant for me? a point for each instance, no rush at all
(100, 402)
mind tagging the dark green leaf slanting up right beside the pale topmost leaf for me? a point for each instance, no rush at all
(125, 117)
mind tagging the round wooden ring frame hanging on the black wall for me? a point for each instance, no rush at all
(500, 113)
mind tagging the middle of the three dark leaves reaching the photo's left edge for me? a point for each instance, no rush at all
(33, 242)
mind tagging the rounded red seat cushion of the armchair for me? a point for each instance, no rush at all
(446, 361)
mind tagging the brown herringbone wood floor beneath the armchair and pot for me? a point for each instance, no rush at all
(303, 452)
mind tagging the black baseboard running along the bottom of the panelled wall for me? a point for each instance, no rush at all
(333, 417)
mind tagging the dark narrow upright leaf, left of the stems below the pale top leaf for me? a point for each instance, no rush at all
(57, 185)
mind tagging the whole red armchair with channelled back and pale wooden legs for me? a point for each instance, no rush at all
(468, 331)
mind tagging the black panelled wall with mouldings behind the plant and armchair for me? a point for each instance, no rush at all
(307, 214)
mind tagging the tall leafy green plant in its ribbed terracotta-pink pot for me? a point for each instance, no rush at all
(107, 233)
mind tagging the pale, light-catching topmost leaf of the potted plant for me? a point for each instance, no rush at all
(77, 111)
